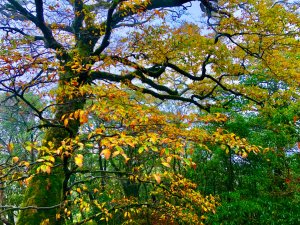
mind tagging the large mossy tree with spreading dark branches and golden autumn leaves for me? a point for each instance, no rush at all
(106, 68)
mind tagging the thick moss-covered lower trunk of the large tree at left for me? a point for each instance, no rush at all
(47, 190)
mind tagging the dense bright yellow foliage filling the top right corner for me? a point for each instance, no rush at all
(255, 32)
